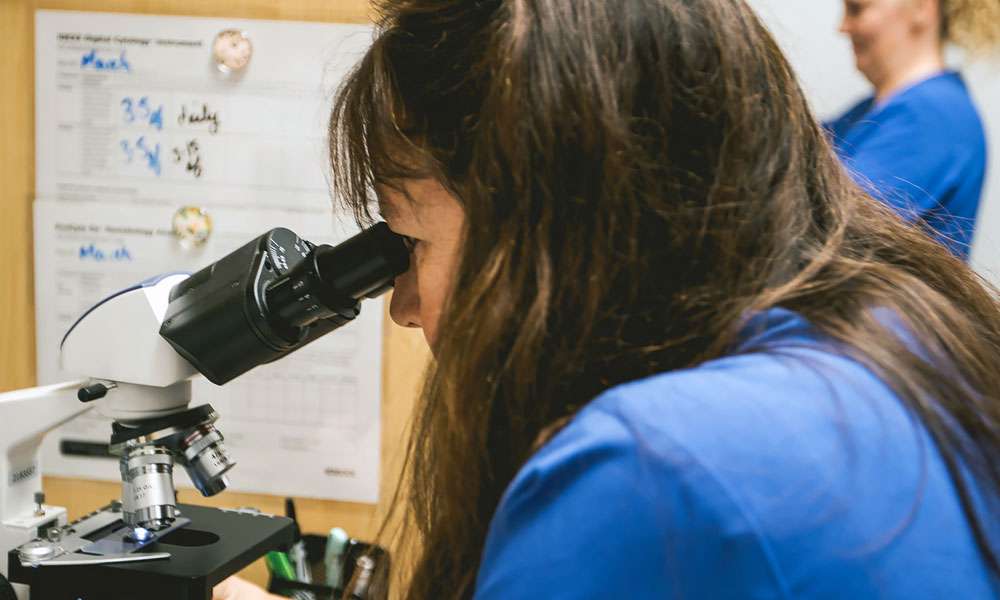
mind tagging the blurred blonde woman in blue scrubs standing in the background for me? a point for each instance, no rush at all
(917, 142)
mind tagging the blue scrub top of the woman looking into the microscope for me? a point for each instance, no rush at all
(786, 470)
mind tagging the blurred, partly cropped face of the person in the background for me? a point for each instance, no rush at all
(882, 34)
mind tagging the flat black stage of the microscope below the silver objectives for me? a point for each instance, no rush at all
(216, 544)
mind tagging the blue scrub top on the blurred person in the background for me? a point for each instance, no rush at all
(923, 152)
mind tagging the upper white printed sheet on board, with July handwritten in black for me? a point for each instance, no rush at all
(134, 111)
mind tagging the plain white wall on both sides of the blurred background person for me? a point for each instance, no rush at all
(807, 32)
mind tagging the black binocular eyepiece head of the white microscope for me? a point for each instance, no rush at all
(275, 295)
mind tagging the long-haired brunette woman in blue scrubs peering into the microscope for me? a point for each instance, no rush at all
(678, 352)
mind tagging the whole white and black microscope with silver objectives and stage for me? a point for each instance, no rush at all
(136, 352)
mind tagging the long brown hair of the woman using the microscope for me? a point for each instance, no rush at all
(637, 177)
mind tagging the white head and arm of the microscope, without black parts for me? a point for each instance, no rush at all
(115, 345)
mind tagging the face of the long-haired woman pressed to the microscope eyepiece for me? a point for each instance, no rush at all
(432, 219)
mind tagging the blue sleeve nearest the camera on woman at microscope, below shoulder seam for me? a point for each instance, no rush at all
(587, 518)
